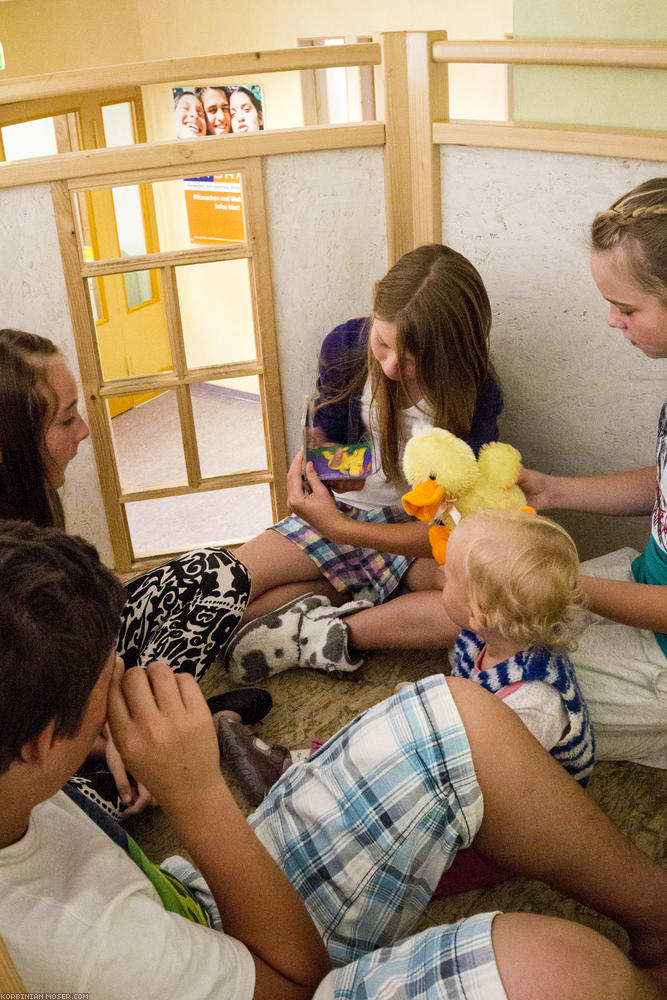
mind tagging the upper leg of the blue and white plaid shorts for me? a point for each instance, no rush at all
(364, 829)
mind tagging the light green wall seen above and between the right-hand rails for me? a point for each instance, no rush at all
(575, 95)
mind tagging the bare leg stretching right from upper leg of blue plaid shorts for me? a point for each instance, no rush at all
(539, 822)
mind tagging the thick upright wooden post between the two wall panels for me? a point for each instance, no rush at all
(415, 95)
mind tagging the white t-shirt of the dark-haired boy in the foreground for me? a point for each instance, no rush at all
(78, 915)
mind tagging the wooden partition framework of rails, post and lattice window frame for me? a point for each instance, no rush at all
(412, 69)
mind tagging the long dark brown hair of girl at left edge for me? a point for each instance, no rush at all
(26, 403)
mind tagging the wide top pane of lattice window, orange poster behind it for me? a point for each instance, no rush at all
(199, 211)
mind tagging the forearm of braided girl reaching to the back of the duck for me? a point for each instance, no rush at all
(619, 493)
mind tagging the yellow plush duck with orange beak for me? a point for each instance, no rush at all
(448, 481)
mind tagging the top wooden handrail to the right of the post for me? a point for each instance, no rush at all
(548, 52)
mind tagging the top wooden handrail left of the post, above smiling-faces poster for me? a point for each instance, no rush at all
(200, 68)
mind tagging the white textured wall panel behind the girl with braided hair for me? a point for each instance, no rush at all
(579, 399)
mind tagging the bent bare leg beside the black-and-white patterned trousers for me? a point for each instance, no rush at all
(279, 571)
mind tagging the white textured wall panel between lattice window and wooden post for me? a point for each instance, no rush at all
(328, 246)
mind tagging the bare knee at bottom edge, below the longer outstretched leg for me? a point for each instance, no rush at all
(545, 958)
